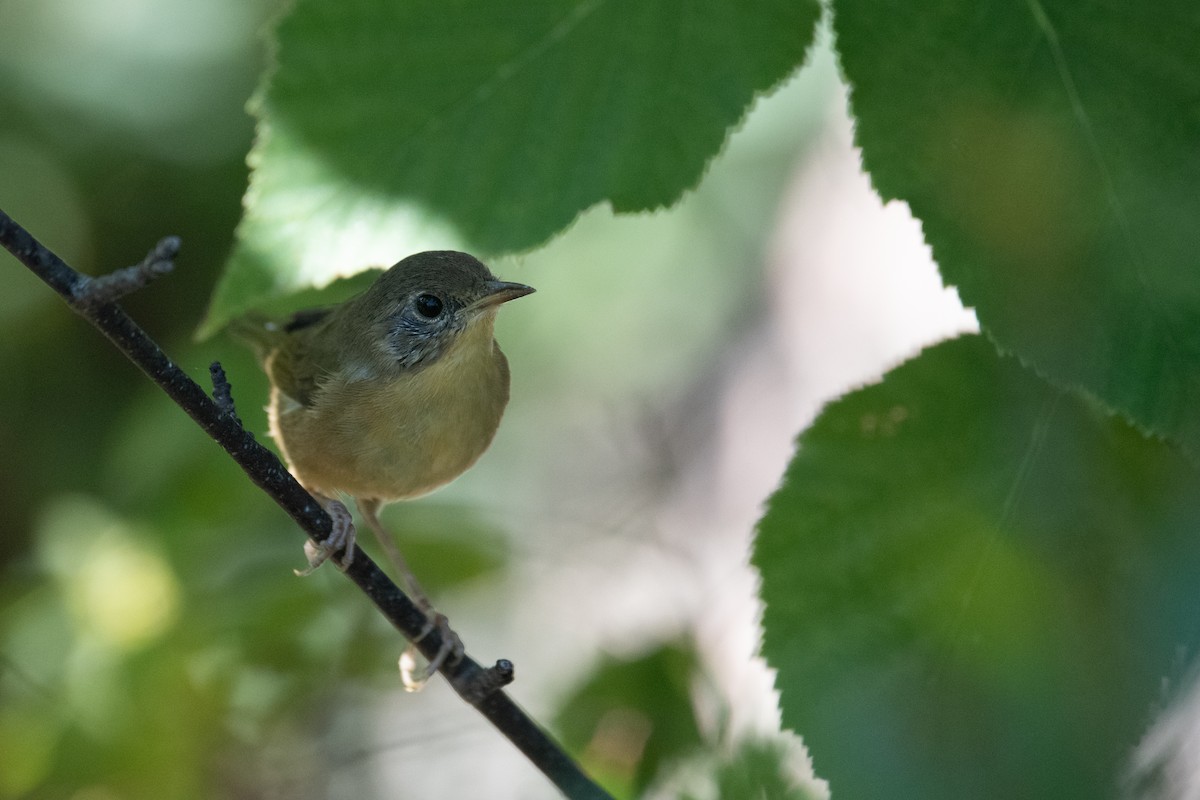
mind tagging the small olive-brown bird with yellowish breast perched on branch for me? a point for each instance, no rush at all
(389, 396)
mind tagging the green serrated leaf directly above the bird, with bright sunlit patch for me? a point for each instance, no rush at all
(394, 127)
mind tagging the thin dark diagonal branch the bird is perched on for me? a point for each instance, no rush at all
(94, 300)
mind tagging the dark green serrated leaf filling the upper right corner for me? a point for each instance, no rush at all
(1049, 148)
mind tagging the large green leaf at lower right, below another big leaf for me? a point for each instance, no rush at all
(976, 585)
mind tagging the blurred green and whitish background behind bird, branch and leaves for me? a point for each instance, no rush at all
(154, 641)
